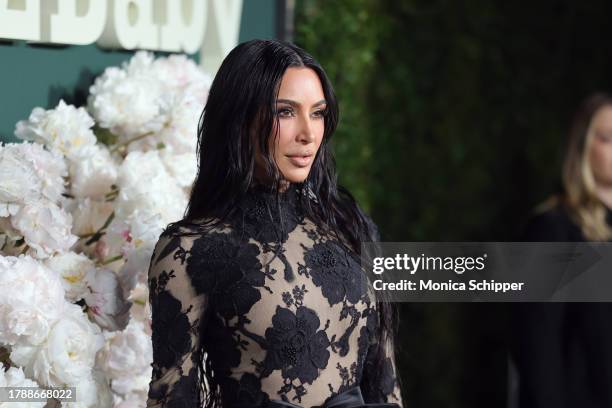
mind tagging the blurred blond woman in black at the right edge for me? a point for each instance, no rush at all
(564, 351)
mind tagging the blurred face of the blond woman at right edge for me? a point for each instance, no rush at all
(600, 149)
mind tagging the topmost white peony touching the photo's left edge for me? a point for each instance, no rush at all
(28, 173)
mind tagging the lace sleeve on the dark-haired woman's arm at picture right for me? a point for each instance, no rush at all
(379, 380)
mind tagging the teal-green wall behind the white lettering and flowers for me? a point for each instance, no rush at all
(35, 75)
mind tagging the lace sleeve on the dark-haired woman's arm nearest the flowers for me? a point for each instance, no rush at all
(177, 311)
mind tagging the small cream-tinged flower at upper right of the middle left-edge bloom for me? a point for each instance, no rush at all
(72, 268)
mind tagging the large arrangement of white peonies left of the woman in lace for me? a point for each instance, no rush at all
(83, 201)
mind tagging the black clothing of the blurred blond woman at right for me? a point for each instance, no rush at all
(563, 351)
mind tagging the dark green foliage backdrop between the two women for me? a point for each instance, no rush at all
(453, 123)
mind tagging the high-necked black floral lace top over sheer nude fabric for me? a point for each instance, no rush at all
(282, 316)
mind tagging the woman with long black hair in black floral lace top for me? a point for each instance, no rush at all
(257, 295)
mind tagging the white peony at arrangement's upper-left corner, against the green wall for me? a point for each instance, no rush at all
(64, 128)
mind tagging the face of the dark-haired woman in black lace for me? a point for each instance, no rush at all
(300, 110)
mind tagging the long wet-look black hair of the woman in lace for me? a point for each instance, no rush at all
(240, 113)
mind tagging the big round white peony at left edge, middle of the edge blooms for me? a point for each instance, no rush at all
(31, 300)
